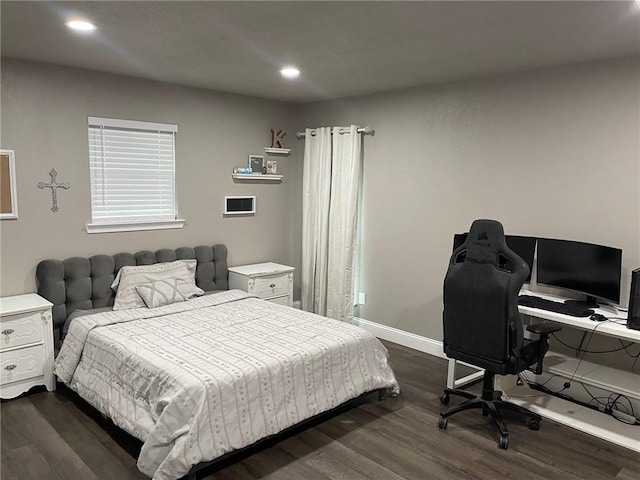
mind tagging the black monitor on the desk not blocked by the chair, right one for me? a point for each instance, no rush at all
(593, 270)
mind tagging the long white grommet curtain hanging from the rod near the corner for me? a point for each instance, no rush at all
(331, 184)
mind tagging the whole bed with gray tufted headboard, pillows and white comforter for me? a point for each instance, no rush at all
(198, 372)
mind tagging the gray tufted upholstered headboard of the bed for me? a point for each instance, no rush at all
(80, 283)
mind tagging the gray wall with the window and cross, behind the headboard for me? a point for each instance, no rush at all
(44, 119)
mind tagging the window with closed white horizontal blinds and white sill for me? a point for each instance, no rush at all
(132, 168)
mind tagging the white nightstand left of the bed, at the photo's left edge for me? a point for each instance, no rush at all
(26, 344)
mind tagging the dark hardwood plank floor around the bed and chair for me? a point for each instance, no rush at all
(57, 436)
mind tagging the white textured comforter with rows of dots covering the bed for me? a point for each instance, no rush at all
(197, 379)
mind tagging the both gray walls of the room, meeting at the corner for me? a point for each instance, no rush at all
(550, 152)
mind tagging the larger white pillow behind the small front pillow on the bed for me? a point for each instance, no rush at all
(129, 276)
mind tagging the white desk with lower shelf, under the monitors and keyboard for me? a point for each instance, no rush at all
(563, 411)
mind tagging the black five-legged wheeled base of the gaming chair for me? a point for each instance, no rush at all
(491, 403)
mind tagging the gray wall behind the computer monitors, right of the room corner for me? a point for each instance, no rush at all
(551, 153)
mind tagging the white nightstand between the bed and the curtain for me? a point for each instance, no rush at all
(271, 281)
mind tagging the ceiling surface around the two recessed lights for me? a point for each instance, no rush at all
(342, 48)
